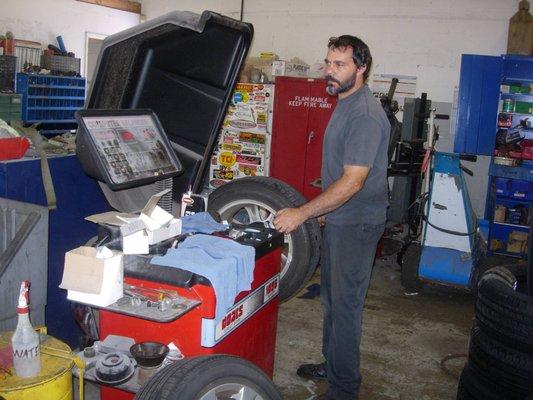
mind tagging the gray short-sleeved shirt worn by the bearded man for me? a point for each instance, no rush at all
(358, 134)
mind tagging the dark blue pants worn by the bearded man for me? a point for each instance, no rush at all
(346, 267)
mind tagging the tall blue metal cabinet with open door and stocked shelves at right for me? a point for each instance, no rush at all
(487, 84)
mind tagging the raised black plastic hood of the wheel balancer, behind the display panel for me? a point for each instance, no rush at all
(183, 66)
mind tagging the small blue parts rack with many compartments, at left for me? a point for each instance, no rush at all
(50, 99)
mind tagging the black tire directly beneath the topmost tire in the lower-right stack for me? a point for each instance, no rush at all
(511, 369)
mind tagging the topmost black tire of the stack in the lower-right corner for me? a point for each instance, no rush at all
(504, 314)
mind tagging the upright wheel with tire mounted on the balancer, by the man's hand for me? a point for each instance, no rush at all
(252, 199)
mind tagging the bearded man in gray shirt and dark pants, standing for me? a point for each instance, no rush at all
(353, 204)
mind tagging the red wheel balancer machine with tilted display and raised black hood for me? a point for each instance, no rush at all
(155, 108)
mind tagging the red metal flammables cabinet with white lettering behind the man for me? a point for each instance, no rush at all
(302, 109)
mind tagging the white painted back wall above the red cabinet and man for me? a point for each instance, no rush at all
(409, 37)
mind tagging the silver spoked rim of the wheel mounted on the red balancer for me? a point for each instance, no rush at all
(245, 211)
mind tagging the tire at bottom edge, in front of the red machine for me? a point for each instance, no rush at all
(208, 377)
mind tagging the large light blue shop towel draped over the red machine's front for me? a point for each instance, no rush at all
(227, 264)
